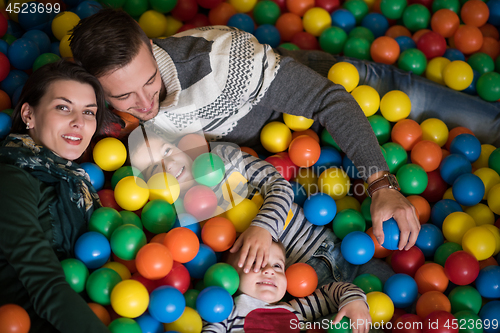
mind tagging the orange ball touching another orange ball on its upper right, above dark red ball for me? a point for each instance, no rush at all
(154, 261)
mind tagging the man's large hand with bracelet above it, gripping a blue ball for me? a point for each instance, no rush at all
(387, 203)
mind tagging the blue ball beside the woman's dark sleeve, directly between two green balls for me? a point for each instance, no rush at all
(93, 249)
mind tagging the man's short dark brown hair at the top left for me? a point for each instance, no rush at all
(107, 41)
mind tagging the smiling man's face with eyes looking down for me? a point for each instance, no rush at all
(137, 87)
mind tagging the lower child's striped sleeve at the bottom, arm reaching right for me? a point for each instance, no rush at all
(327, 300)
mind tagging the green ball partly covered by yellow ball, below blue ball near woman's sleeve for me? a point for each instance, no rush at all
(100, 283)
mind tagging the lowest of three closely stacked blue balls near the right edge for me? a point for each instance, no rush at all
(468, 189)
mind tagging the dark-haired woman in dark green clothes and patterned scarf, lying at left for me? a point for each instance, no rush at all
(46, 199)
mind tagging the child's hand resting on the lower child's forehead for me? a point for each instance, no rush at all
(255, 244)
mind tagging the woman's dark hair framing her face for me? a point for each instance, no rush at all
(37, 84)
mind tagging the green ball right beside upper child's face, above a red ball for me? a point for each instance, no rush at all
(208, 169)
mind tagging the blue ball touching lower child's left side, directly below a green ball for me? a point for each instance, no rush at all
(214, 304)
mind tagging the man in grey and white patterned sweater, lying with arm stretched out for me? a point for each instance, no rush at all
(221, 81)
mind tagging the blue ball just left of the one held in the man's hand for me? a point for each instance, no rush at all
(357, 248)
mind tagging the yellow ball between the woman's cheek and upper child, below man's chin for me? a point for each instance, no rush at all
(109, 154)
